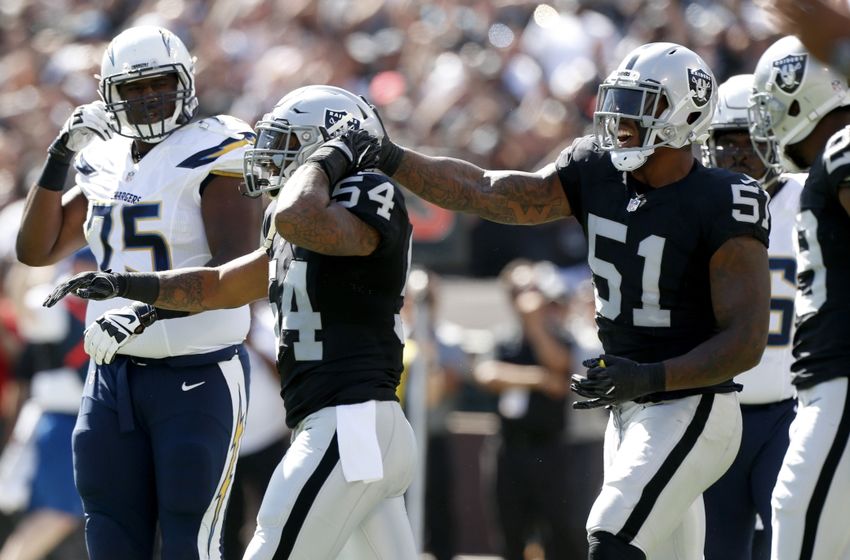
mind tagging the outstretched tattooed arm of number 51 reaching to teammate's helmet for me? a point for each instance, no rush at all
(509, 197)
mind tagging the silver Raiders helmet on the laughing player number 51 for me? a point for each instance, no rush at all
(667, 89)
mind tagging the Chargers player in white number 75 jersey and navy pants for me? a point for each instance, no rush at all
(156, 187)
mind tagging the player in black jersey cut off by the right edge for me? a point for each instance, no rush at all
(805, 105)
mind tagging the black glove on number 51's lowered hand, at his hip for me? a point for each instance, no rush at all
(612, 380)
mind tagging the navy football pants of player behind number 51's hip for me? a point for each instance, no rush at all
(732, 502)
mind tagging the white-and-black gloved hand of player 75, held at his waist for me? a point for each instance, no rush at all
(114, 329)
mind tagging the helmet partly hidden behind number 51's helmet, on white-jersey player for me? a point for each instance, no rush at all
(731, 116)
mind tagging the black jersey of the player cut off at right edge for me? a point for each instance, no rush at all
(822, 338)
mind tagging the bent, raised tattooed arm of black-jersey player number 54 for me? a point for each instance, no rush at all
(307, 217)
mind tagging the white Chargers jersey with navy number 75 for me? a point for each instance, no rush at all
(146, 217)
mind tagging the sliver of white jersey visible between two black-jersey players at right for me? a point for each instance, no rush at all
(770, 380)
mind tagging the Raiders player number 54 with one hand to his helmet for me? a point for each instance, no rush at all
(334, 266)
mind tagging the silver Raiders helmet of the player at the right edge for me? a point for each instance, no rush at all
(792, 91)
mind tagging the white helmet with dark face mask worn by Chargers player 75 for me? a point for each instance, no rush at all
(147, 52)
